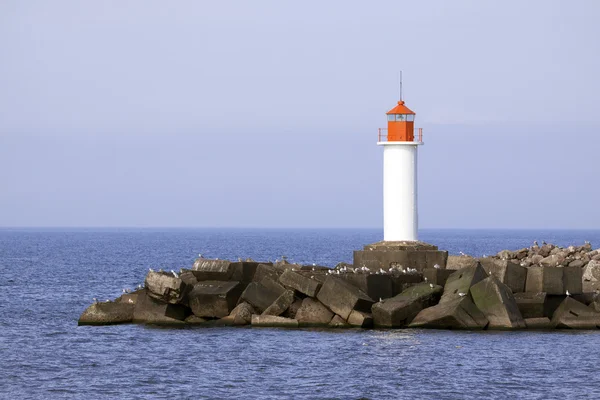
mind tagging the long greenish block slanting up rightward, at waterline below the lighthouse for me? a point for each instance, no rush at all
(400, 310)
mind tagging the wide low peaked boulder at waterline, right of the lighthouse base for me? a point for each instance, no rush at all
(455, 313)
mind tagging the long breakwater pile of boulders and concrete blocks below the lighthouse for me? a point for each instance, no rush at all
(540, 287)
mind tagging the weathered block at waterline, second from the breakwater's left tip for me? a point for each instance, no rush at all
(152, 311)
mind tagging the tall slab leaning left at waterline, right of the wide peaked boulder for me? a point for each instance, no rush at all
(496, 301)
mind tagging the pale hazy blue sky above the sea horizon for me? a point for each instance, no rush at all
(265, 113)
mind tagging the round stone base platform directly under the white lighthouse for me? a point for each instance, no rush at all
(408, 254)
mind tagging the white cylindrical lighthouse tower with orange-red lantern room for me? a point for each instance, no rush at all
(400, 148)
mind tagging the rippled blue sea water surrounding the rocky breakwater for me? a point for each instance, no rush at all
(49, 276)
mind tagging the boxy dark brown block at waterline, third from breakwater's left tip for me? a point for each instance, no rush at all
(214, 299)
